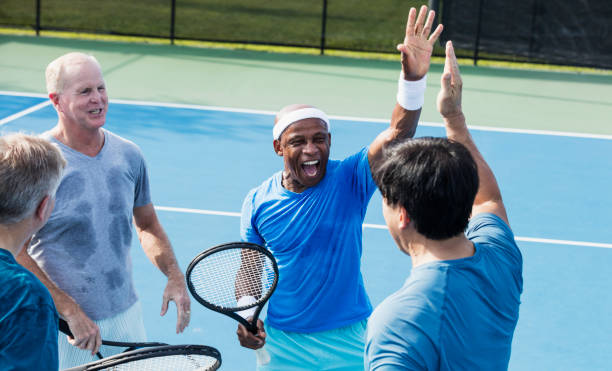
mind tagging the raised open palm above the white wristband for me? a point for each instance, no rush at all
(418, 44)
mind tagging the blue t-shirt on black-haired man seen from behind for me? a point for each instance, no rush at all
(454, 314)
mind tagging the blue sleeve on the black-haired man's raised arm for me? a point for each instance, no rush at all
(489, 230)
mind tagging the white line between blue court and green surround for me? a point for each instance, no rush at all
(334, 117)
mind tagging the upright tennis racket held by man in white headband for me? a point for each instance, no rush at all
(235, 279)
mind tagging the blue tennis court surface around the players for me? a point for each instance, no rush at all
(202, 162)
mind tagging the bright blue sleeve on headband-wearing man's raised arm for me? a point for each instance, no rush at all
(357, 169)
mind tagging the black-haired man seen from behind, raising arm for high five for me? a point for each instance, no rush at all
(459, 307)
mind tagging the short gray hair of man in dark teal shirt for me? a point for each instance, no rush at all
(30, 168)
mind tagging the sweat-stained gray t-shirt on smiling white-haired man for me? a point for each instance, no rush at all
(84, 247)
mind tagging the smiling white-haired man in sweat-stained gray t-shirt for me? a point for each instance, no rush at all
(82, 254)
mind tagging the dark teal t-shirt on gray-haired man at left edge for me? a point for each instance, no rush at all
(28, 320)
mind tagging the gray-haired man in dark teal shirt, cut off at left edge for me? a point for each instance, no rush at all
(30, 169)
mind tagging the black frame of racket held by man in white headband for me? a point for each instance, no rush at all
(231, 312)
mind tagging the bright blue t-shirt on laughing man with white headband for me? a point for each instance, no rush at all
(315, 237)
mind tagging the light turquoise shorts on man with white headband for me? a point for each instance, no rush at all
(339, 349)
